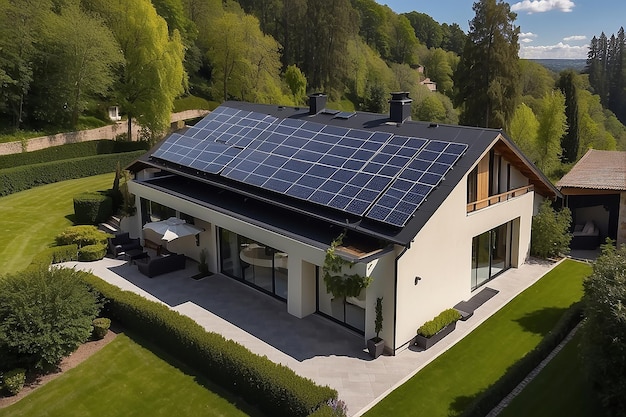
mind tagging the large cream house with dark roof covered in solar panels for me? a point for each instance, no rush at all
(432, 212)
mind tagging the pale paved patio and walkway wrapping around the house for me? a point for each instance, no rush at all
(313, 346)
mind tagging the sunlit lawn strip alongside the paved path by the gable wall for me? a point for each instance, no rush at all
(449, 384)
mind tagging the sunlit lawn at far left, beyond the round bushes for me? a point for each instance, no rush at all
(29, 220)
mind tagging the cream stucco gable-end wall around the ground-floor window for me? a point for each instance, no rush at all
(441, 256)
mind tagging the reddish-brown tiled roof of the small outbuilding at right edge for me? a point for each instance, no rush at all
(598, 170)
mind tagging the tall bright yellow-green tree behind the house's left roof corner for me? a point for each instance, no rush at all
(153, 74)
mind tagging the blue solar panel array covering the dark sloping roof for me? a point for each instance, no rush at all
(372, 174)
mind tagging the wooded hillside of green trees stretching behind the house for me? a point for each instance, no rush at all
(63, 62)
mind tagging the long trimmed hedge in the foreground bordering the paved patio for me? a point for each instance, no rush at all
(273, 388)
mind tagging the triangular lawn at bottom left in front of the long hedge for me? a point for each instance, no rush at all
(126, 379)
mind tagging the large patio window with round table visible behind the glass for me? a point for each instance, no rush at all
(259, 265)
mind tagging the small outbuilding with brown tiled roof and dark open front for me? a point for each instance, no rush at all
(595, 192)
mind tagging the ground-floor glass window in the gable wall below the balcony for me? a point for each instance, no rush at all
(490, 254)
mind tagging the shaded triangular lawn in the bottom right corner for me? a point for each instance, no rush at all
(559, 390)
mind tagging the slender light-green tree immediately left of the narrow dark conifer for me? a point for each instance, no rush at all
(552, 127)
